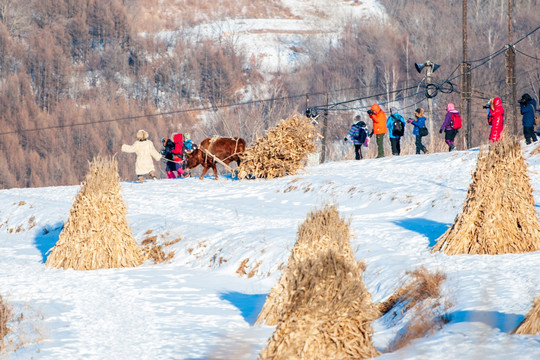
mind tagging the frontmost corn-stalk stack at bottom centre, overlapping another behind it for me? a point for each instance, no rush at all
(329, 314)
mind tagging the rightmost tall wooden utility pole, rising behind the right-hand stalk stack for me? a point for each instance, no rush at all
(511, 74)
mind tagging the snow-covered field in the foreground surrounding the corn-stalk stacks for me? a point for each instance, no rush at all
(198, 307)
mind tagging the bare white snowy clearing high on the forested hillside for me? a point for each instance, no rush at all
(280, 44)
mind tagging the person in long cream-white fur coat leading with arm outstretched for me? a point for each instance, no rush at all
(145, 151)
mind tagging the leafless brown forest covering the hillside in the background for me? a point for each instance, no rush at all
(79, 77)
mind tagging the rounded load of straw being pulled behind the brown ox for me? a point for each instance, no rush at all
(281, 151)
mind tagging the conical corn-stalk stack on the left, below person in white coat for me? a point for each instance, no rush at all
(97, 234)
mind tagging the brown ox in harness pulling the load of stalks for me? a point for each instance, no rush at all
(225, 149)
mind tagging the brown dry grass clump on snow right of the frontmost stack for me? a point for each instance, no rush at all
(422, 297)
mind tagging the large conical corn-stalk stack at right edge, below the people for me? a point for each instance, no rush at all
(499, 215)
